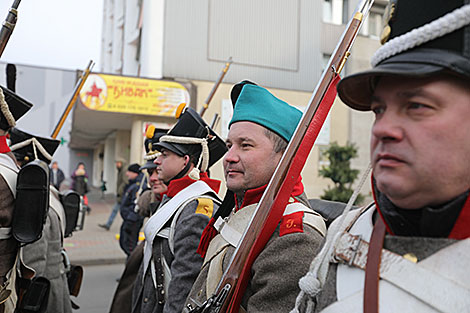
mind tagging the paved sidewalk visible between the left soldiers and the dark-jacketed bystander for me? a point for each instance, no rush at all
(95, 245)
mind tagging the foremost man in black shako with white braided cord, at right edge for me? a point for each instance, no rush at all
(409, 250)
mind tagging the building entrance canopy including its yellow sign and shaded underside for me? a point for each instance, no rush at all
(110, 102)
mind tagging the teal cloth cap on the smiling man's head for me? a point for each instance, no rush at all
(256, 104)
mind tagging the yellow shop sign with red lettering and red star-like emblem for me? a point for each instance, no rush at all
(112, 93)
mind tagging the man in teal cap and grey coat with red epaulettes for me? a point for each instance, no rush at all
(259, 132)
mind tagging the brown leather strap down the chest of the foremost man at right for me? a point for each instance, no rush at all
(371, 285)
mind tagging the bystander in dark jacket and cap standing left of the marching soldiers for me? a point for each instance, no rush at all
(131, 220)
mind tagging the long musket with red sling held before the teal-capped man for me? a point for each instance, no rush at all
(268, 213)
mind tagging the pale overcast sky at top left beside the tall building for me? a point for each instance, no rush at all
(55, 33)
